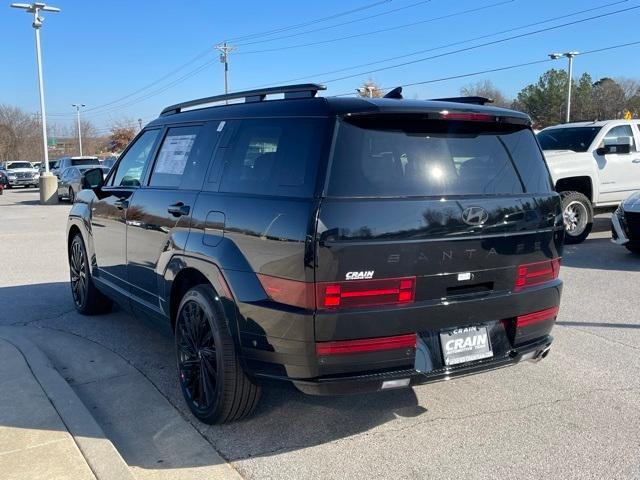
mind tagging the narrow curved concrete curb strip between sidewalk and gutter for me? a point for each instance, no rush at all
(99, 453)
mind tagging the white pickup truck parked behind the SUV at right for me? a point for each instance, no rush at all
(594, 167)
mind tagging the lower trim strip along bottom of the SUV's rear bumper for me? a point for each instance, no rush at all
(374, 382)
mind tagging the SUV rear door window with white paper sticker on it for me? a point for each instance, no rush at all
(175, 152)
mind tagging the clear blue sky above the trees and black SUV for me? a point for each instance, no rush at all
(98, 52)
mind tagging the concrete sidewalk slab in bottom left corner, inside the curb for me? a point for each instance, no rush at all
(34, 441)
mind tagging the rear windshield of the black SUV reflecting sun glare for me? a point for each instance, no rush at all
(378, 157)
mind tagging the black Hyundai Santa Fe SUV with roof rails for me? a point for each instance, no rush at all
(343, 244)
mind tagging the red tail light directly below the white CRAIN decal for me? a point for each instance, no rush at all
(349, 294)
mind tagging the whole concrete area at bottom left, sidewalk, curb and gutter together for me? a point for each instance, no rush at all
(109, 419)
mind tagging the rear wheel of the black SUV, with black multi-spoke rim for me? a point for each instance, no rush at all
(213, 383)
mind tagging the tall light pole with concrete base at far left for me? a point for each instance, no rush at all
(48, 183)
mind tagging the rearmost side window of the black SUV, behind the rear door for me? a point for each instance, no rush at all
(274, 157)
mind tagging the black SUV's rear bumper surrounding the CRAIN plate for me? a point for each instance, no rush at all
(266, 353)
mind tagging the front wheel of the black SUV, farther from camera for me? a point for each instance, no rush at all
(87, 299)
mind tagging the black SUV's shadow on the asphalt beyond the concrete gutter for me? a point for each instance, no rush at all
(285, 419)
